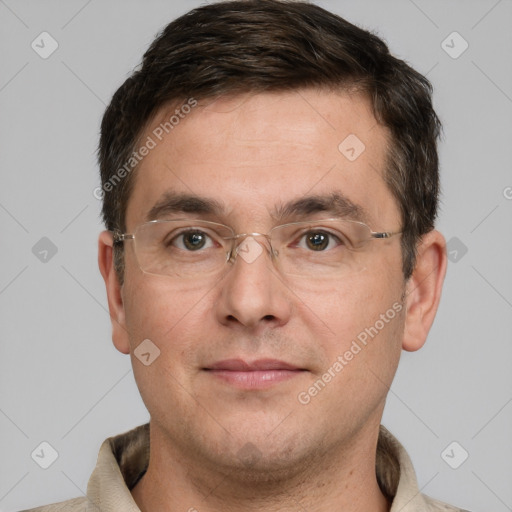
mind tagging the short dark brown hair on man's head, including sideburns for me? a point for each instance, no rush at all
(239, 46)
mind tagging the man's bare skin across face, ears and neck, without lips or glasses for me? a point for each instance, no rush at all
(254, 152)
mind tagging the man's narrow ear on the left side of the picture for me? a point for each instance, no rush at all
(114, 292)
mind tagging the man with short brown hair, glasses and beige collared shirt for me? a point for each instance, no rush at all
(270, 182)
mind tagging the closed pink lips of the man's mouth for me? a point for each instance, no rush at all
(261, 374)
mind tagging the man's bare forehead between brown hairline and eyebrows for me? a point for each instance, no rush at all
(254, 153)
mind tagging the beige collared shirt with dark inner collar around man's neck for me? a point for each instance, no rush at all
(123, 460)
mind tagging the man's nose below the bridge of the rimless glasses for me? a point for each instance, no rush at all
(253, 294)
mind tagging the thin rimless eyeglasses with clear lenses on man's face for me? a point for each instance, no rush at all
(188, 248)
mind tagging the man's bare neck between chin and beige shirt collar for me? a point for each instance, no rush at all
(342, 479)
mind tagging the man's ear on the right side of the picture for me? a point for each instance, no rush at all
(423, 290)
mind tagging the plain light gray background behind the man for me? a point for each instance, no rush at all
(61, 379)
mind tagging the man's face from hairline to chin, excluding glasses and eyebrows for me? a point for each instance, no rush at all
(254, 154)
